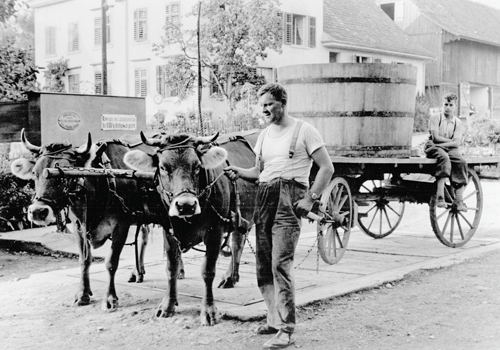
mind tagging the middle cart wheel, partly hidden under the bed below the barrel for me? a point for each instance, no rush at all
(378, 217)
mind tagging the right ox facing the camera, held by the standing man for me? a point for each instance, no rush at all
(201, 205)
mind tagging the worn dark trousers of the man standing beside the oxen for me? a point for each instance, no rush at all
(277, 234)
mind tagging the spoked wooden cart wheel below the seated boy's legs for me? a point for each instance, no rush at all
(454, 228)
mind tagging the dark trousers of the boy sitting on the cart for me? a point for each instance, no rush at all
(450, 163)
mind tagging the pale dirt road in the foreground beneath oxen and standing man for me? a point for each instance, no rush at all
(451, 308)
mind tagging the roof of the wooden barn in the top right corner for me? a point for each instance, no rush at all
(470, 20)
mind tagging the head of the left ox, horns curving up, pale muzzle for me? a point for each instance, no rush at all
(51, 195)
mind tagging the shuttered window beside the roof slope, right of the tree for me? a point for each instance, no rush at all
(299, 30)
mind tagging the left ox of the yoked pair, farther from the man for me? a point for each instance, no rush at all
(99, 209)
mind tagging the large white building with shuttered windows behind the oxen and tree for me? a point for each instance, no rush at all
(315, 31)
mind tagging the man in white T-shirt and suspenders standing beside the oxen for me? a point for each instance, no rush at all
(286, 148)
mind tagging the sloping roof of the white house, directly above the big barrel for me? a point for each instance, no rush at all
(362, 23)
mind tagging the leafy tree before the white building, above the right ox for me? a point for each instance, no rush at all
(234, 35)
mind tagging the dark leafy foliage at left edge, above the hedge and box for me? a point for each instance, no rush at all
(17, 72)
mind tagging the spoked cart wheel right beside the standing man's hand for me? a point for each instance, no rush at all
(333, 236)
